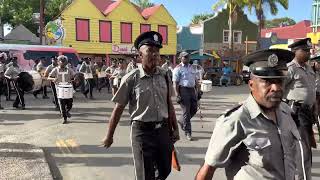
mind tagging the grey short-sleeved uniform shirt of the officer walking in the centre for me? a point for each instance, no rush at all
(146, 95)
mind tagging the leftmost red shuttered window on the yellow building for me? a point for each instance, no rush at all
(82, 30)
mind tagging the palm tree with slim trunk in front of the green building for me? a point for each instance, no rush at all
(232, 7)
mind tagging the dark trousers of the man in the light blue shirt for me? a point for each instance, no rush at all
(189, 108)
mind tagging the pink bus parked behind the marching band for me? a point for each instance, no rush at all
(26, 54)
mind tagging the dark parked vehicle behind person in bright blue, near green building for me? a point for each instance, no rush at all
(214, 74)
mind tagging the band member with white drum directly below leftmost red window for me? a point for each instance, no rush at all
(87, 70)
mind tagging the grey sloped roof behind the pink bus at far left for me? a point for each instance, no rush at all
(21, 33)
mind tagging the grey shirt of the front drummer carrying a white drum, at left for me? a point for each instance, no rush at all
(62, 75)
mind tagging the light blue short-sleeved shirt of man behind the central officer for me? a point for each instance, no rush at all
(185, 75)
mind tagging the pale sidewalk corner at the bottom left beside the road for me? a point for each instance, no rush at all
(23, 161)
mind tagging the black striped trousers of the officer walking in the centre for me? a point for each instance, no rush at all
(151, 148)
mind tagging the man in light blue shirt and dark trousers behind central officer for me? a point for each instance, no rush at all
(185, 80)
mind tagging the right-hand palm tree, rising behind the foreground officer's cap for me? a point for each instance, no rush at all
(260, 8)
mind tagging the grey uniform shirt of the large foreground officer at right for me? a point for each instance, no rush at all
(250, 146)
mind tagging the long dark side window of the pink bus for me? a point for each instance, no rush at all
(33, 55)
